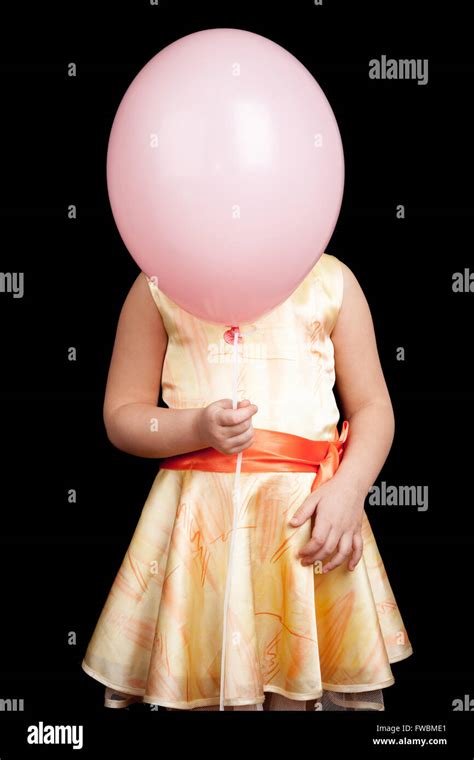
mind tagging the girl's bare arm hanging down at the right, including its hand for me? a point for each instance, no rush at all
(339, 503)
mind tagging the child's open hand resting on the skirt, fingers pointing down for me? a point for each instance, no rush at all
(337, 526)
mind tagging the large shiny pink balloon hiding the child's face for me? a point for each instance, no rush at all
(225, 173)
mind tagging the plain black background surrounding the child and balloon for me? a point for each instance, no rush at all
(405, 144)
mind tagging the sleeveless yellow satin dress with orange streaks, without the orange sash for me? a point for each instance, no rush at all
(293, 631)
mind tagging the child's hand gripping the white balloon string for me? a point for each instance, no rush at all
(225, 429)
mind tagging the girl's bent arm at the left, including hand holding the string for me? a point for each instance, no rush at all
(133, 421)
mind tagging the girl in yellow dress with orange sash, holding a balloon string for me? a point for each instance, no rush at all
(312, 622)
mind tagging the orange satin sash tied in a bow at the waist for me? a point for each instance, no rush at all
(272, 451)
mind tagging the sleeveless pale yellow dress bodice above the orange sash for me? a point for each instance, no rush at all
(286, 359)
